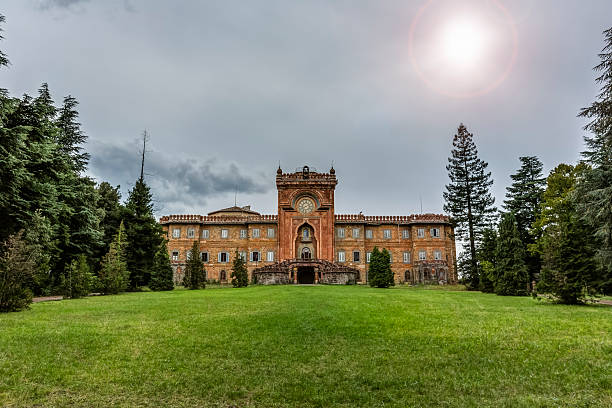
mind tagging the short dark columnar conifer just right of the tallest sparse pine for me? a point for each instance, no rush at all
(511, 276)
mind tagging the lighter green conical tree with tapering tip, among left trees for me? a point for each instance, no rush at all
(114, 275)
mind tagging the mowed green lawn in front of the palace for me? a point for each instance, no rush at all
(306, 346)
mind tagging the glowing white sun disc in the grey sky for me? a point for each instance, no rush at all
(463, 43)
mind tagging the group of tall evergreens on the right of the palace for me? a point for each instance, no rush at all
(553, 234)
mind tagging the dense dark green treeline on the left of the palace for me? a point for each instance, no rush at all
(61, 233)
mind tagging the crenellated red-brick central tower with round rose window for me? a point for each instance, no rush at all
(306, 214)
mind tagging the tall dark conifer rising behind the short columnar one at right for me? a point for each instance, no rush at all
(523, 199)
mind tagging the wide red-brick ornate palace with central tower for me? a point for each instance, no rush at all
(308, 243)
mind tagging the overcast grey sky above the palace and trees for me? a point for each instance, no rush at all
(228, 89)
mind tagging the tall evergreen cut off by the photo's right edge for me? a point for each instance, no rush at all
(595, 187)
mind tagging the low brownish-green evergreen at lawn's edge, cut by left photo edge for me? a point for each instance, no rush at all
(17, 265)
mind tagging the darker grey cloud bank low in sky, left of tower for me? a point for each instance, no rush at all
(177, 183)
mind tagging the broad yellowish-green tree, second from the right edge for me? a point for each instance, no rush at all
(566, 244)
